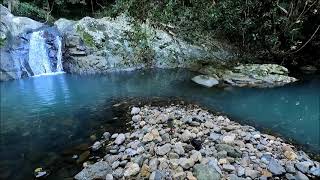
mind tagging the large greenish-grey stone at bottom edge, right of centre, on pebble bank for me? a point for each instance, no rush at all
(205, 172)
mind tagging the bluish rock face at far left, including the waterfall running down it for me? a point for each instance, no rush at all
(27, 47)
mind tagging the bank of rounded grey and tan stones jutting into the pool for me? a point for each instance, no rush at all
(188, 142)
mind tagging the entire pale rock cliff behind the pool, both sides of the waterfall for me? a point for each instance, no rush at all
(96, 46)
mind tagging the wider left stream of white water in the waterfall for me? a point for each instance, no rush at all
(38, 57)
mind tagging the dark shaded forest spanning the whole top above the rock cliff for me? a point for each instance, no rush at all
(282, 31)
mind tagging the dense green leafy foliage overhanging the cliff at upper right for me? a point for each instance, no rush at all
(273, 27)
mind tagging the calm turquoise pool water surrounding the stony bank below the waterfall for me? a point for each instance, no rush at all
(42, 116)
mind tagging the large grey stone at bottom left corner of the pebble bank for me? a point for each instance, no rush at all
(98, 170)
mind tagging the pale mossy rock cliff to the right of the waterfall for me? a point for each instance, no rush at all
(102, 45)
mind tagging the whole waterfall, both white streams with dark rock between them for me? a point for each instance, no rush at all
(45, 54)
